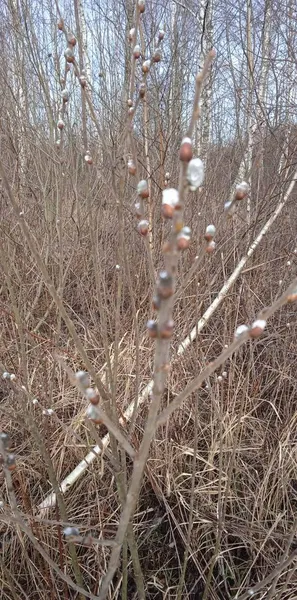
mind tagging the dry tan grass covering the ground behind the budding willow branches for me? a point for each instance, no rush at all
(244, 427)
